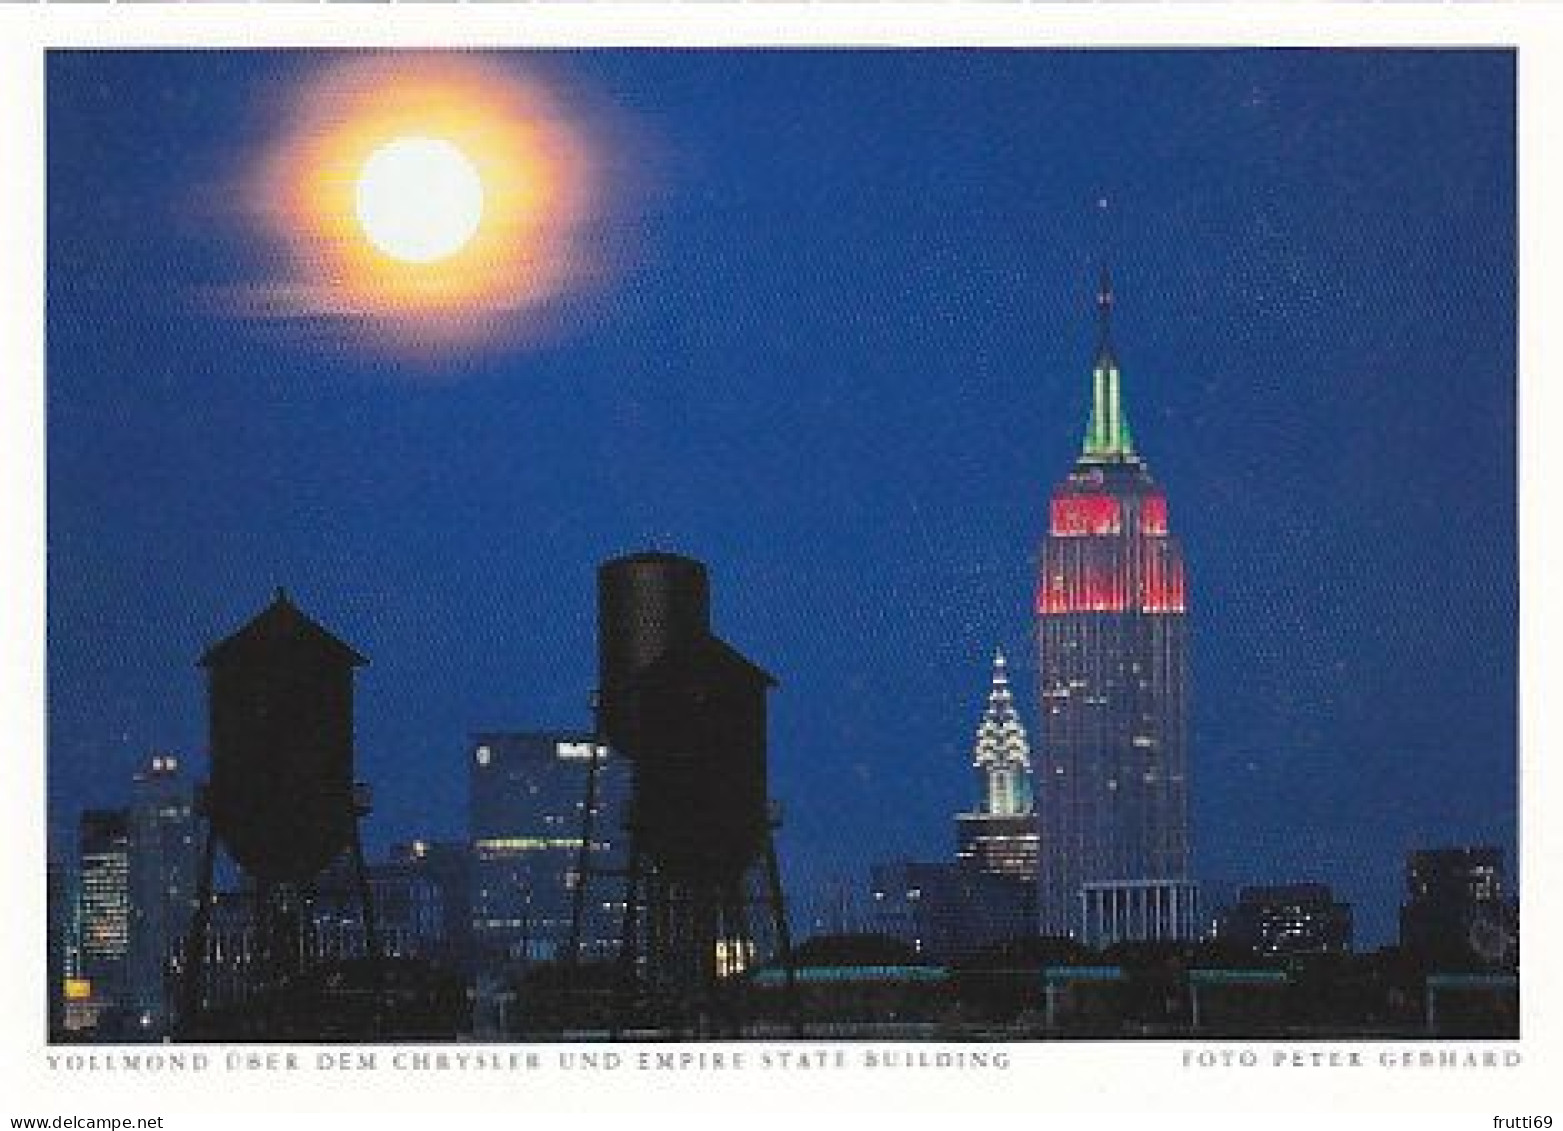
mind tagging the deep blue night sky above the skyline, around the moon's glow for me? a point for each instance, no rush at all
(846, 369)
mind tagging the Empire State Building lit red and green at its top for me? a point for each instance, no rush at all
(1112, 776)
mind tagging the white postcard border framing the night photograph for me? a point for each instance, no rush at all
(1065, 1077)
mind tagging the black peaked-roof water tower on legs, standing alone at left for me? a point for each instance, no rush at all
(282, 799)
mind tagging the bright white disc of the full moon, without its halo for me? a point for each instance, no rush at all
(420, 199)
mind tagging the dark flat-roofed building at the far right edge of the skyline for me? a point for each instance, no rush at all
(1459, 915)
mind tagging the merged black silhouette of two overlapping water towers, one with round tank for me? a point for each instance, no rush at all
(704, 891)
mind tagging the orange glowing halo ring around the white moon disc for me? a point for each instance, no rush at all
(538, 194)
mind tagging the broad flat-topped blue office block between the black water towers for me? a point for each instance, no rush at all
(528, 797)
